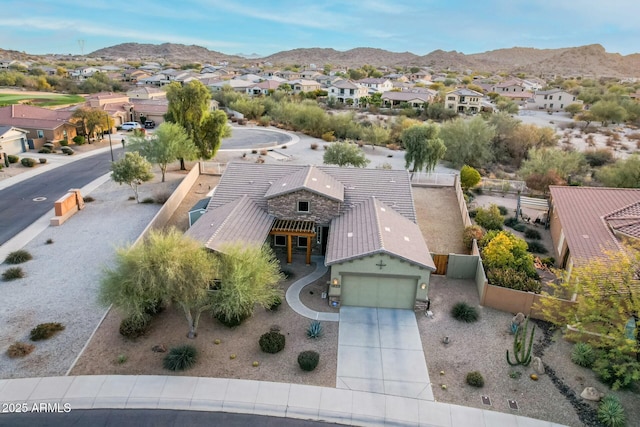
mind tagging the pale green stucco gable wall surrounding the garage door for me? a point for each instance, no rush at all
(394, 266)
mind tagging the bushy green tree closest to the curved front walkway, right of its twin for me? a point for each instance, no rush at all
(248, 276)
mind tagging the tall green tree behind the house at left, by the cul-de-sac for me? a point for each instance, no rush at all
(189, 106)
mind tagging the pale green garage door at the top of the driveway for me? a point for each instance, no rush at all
(379, 291)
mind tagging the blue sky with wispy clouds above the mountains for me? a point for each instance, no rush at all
(269, 26)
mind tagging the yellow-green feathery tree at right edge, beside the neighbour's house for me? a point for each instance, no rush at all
(606, 311)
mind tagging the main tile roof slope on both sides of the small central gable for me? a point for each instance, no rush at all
(393, 187)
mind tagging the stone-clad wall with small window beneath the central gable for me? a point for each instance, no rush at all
(321, 209)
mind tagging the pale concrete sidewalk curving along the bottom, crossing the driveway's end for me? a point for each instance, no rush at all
(249, 397)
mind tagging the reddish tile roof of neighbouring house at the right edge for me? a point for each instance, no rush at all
(582, 212)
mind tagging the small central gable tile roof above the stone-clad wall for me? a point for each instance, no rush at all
(310, 178)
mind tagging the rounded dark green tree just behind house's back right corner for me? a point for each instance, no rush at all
(423, 147)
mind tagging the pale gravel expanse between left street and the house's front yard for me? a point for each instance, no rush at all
(62, 280)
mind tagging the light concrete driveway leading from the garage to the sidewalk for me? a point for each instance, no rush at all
(380, 351)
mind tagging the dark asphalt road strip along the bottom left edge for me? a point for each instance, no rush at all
(148, 417)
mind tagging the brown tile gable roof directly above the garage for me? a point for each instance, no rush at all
(372, 227)
